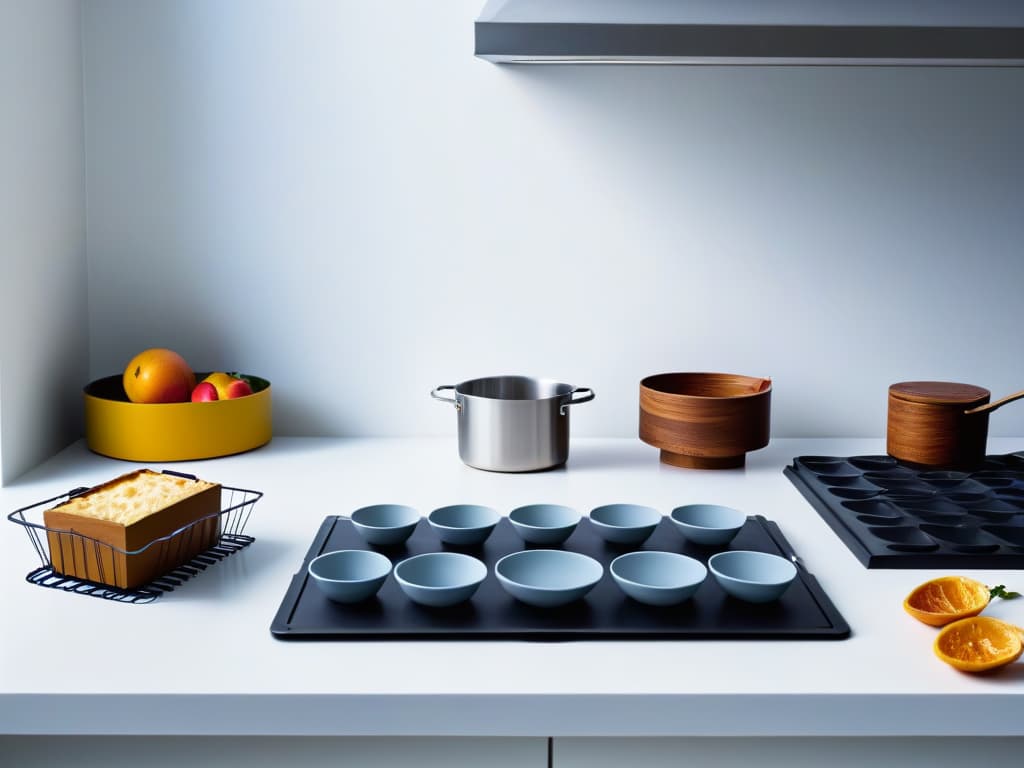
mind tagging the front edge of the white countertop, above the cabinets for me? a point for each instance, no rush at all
(508, 715)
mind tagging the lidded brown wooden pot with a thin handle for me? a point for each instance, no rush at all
(941, 424)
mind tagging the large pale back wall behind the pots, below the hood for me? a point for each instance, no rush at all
(339, 197)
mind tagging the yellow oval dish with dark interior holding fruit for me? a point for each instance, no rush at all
(175, 432)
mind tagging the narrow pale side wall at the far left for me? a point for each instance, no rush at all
(44, 311)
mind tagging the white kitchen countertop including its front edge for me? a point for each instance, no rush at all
(202, 661)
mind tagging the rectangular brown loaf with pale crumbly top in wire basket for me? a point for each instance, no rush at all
(112, 533)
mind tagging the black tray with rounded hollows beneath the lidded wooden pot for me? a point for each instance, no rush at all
(892, 516)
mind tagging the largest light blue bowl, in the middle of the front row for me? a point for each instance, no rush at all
(548, 577)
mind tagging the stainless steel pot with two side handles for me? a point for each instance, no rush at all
(514, 423)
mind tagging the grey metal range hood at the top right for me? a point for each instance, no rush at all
(989, 33)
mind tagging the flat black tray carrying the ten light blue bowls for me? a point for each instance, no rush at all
(804, 611)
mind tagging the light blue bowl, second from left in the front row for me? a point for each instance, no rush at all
(440, 579)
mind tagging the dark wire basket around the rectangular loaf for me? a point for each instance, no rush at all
(175, 557)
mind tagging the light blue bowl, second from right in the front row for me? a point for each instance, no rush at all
(658, 578)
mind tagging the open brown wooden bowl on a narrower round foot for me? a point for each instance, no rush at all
(705, 421)
